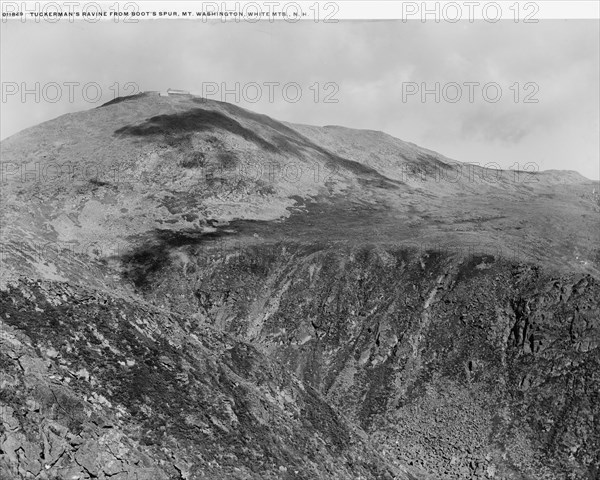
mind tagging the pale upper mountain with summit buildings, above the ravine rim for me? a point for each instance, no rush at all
(121, 178)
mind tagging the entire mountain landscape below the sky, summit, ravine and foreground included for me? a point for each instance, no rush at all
(193, 290)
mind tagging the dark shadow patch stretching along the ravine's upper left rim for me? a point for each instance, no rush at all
(338, 220)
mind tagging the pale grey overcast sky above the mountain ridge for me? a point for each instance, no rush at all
(372, 63)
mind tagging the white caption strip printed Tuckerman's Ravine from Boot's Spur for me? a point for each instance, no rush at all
(442, 11)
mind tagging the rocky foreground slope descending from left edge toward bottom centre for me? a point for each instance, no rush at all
(94, 387)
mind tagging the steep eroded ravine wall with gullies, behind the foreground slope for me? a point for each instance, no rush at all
(462, 366)
